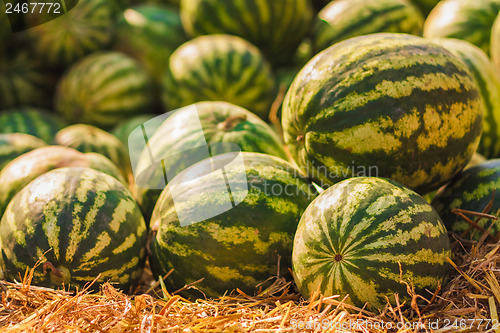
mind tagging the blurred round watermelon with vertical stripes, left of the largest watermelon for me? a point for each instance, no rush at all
(219, 68)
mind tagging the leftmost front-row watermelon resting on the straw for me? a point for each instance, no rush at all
(82, 221)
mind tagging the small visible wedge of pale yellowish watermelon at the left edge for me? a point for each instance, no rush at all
(13, 145)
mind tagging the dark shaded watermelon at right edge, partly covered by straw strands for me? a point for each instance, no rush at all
(471, 190)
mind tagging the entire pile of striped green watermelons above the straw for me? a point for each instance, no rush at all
(308, 140)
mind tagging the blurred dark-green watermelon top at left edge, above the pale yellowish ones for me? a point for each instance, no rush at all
(35, 121)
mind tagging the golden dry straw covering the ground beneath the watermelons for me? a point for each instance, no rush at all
(468, 303)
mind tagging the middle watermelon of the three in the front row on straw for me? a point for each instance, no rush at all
(228, 241)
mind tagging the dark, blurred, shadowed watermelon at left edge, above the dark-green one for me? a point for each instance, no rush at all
(25, 81)
